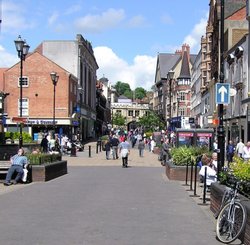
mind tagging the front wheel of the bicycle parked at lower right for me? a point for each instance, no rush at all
(231, 222)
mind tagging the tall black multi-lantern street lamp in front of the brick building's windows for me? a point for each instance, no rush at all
(22, 49)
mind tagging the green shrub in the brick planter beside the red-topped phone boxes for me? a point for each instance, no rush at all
(182, 155)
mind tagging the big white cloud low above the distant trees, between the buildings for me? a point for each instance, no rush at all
(140, 74)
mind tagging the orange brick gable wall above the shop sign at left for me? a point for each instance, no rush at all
(40, 91)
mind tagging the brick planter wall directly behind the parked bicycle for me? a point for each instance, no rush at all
(216, 195)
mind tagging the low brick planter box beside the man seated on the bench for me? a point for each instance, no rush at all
(48, 171)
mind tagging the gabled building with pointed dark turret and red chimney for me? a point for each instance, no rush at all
(172, 95)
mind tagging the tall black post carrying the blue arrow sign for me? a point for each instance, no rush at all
(220, 129)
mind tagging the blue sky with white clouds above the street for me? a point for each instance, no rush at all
(126, 36)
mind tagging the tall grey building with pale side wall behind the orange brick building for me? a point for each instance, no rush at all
(77, 57)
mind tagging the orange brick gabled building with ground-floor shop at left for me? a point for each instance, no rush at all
(38, 94)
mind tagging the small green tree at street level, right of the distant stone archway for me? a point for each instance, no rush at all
(151, 121)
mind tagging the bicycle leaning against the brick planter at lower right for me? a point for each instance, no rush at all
(231, 217)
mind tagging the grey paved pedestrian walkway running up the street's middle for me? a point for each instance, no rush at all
(70, 208)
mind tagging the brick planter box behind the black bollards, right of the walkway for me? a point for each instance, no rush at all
(175, 172)
